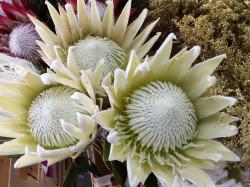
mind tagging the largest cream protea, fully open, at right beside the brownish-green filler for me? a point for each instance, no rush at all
(159, 121)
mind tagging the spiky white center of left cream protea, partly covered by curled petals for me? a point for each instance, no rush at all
(45, 113)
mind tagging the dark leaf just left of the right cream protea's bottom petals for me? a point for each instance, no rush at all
(119, 171)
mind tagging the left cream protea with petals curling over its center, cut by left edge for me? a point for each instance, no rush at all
(46, 122)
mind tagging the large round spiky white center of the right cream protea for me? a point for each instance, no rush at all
(160, 117)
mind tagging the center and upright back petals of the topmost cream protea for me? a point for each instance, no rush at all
(88, 38)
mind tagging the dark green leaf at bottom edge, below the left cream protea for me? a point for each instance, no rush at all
(71, 176)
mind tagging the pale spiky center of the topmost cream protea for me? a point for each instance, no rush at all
(91, 50)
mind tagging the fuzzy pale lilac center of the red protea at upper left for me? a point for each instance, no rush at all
(22, 41)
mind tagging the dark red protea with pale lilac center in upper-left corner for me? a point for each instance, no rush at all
(17, 34)
